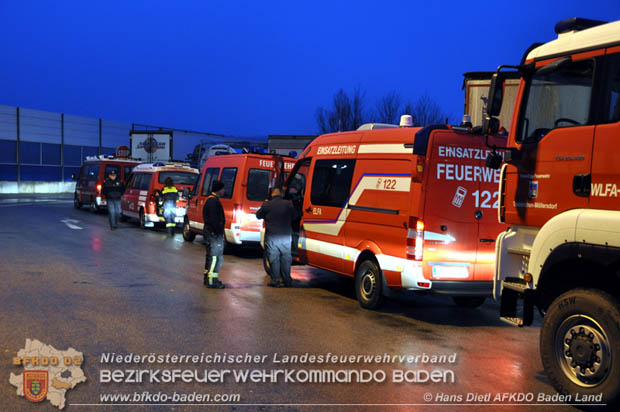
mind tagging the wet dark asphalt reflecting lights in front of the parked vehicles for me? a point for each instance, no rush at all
(134, 291)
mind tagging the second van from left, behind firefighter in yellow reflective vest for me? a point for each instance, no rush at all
(140, 200)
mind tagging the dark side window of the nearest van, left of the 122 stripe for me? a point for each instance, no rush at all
(331, 182)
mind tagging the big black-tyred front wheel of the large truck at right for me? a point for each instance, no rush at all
(580, 344)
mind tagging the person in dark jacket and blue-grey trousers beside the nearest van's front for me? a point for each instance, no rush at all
(279, 215)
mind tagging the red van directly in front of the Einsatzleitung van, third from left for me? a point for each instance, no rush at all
(247, 179)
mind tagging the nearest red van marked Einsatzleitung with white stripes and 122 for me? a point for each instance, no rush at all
(399, 208)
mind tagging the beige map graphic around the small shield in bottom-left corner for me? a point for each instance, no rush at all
(61, 377)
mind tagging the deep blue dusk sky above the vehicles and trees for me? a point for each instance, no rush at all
(252, 68)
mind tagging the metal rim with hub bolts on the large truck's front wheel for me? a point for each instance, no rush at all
(583, 351)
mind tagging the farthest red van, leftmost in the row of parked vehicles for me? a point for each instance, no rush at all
(93, 173)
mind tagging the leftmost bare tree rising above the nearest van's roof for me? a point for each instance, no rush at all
(347, 113)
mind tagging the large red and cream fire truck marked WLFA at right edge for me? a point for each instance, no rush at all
(560, 194)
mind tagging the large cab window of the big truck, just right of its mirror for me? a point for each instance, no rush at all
(557, 99)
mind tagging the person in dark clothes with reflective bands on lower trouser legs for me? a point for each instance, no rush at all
(213, 232)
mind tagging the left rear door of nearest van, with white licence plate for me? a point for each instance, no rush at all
(451, 186)
